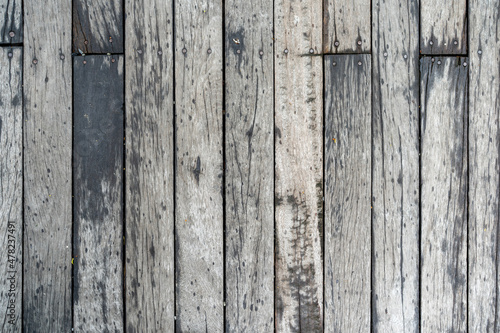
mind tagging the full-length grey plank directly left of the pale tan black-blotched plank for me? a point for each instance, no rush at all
(249, 166)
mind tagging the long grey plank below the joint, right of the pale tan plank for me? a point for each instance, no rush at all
(348, 118)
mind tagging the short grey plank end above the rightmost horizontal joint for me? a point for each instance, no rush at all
(443, 26)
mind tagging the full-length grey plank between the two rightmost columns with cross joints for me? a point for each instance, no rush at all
(395, 201)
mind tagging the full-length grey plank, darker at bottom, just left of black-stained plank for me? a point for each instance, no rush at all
(47, 133)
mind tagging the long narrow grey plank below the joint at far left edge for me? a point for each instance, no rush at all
(11, 191)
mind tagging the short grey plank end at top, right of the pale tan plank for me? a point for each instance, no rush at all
(346, 26)
